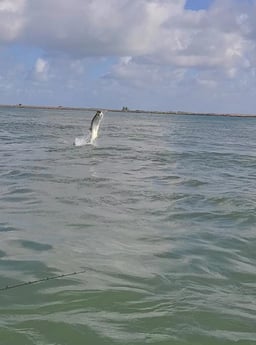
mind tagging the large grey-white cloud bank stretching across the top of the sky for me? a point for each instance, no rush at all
(161, 30)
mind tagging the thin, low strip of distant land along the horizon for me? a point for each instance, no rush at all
(21, 106)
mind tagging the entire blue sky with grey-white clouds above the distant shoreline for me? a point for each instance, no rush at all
(166, 55)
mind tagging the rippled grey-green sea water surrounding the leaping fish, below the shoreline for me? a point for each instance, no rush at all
(159, 215)
